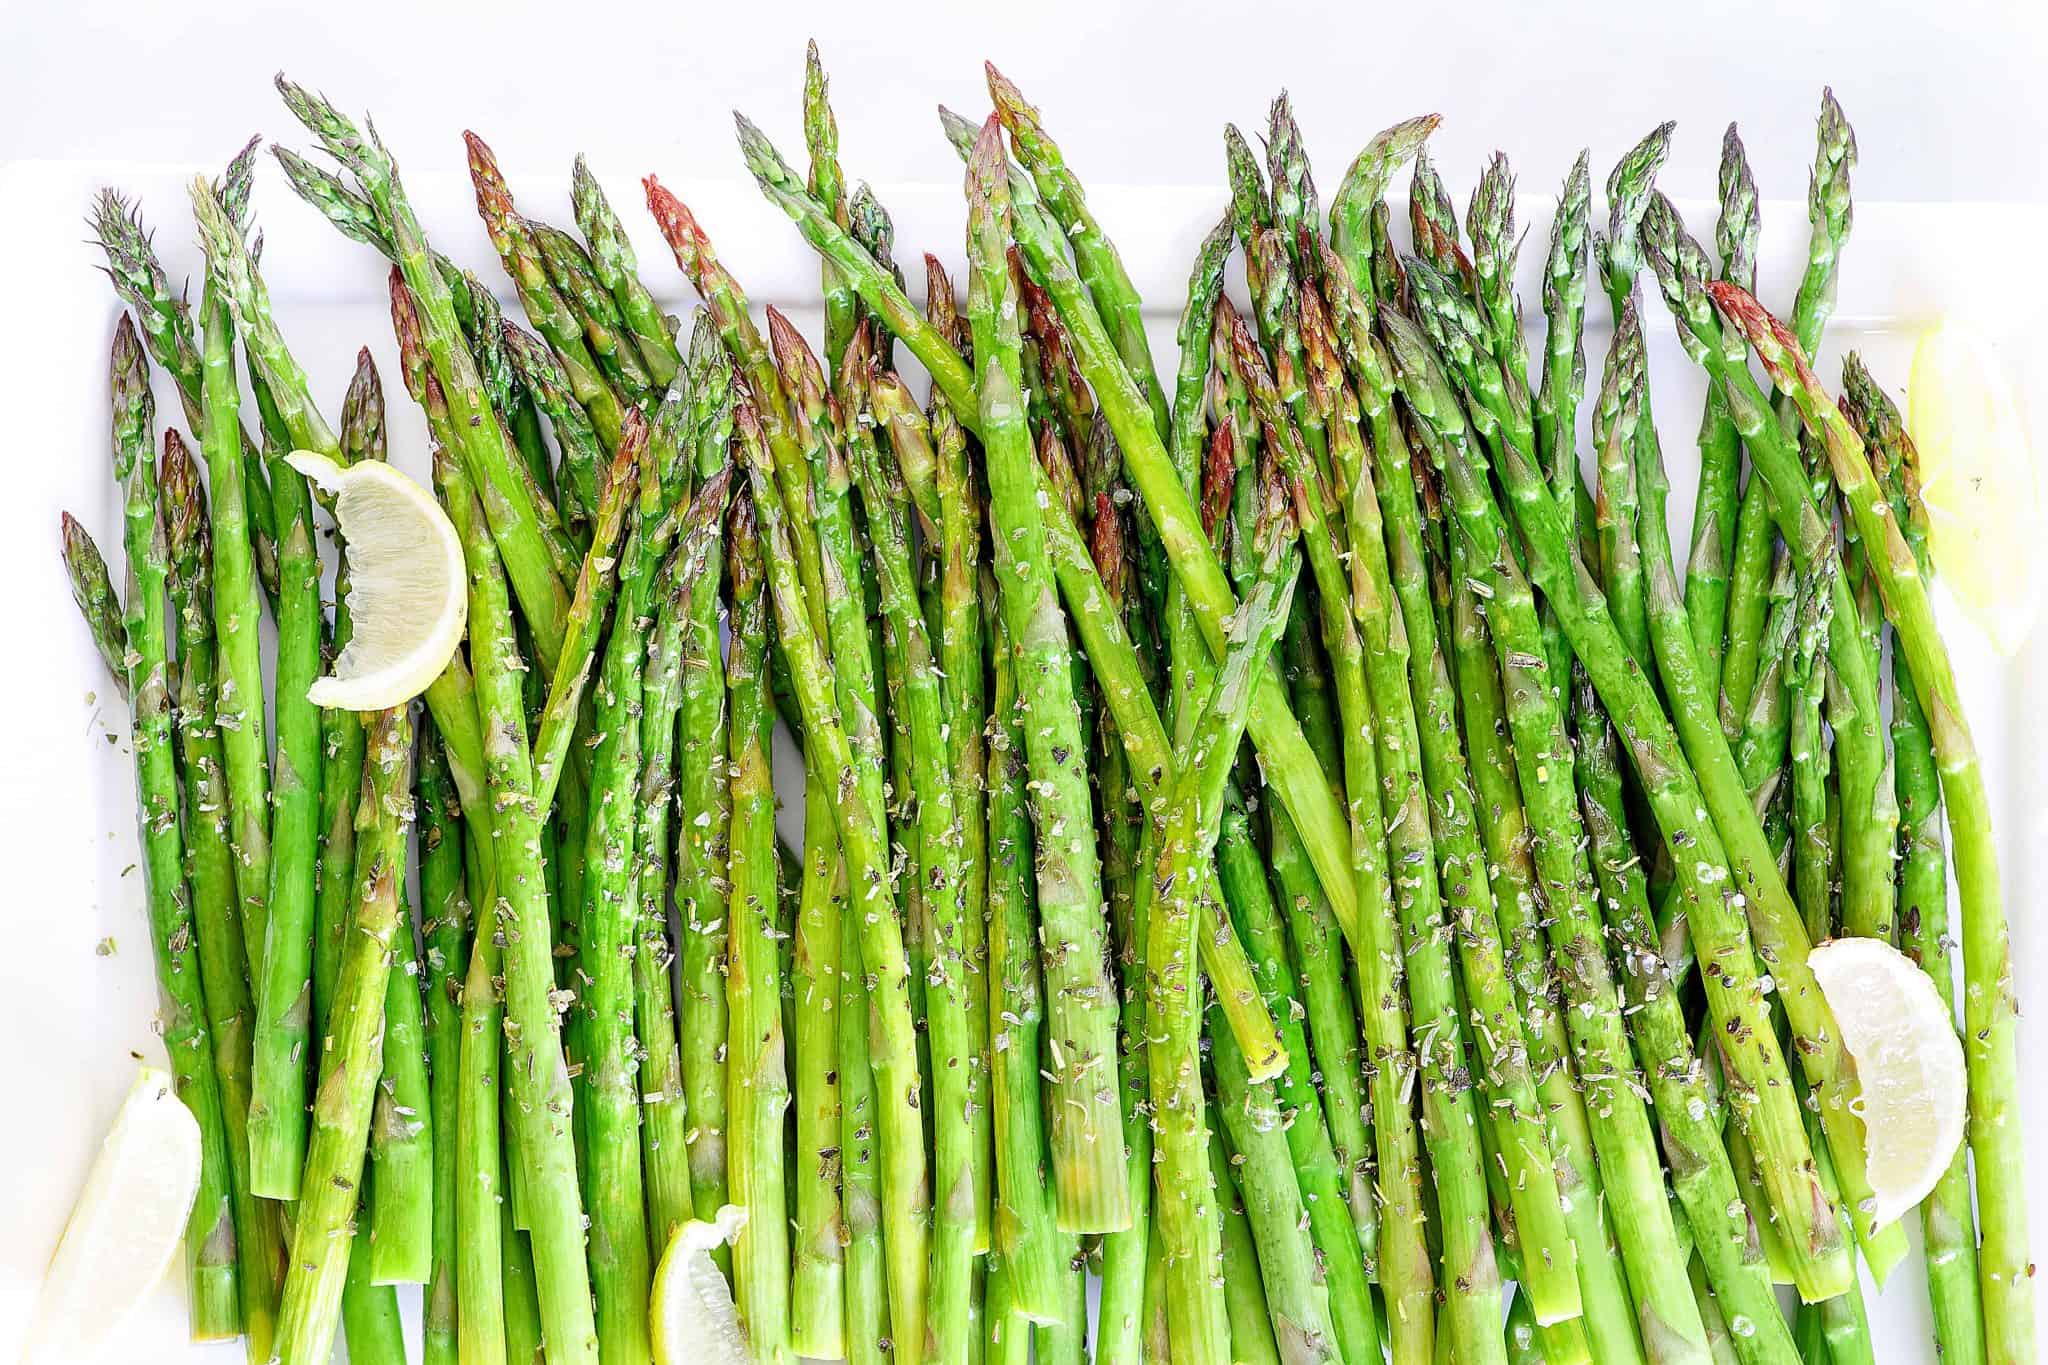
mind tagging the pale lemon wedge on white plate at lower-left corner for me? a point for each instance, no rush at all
(126, 1227)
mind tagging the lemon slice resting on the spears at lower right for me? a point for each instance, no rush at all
(1910, 1065)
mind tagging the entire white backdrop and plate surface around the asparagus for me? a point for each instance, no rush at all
(1947, 99)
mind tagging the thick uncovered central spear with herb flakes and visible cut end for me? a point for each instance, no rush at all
(1080, 1002)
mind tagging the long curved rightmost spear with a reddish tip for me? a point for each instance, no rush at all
(1988, 983)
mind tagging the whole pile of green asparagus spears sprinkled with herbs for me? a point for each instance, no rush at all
(1334, 961)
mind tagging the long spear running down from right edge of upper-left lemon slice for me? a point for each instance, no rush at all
(540, 1092)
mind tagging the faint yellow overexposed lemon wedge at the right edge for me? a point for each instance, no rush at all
(1977, 482)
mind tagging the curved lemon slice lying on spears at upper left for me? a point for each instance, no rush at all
(409, 595)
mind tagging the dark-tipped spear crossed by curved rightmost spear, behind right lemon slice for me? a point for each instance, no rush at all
(1949, 1223)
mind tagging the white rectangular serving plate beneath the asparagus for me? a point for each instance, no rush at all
(73, 1020)
